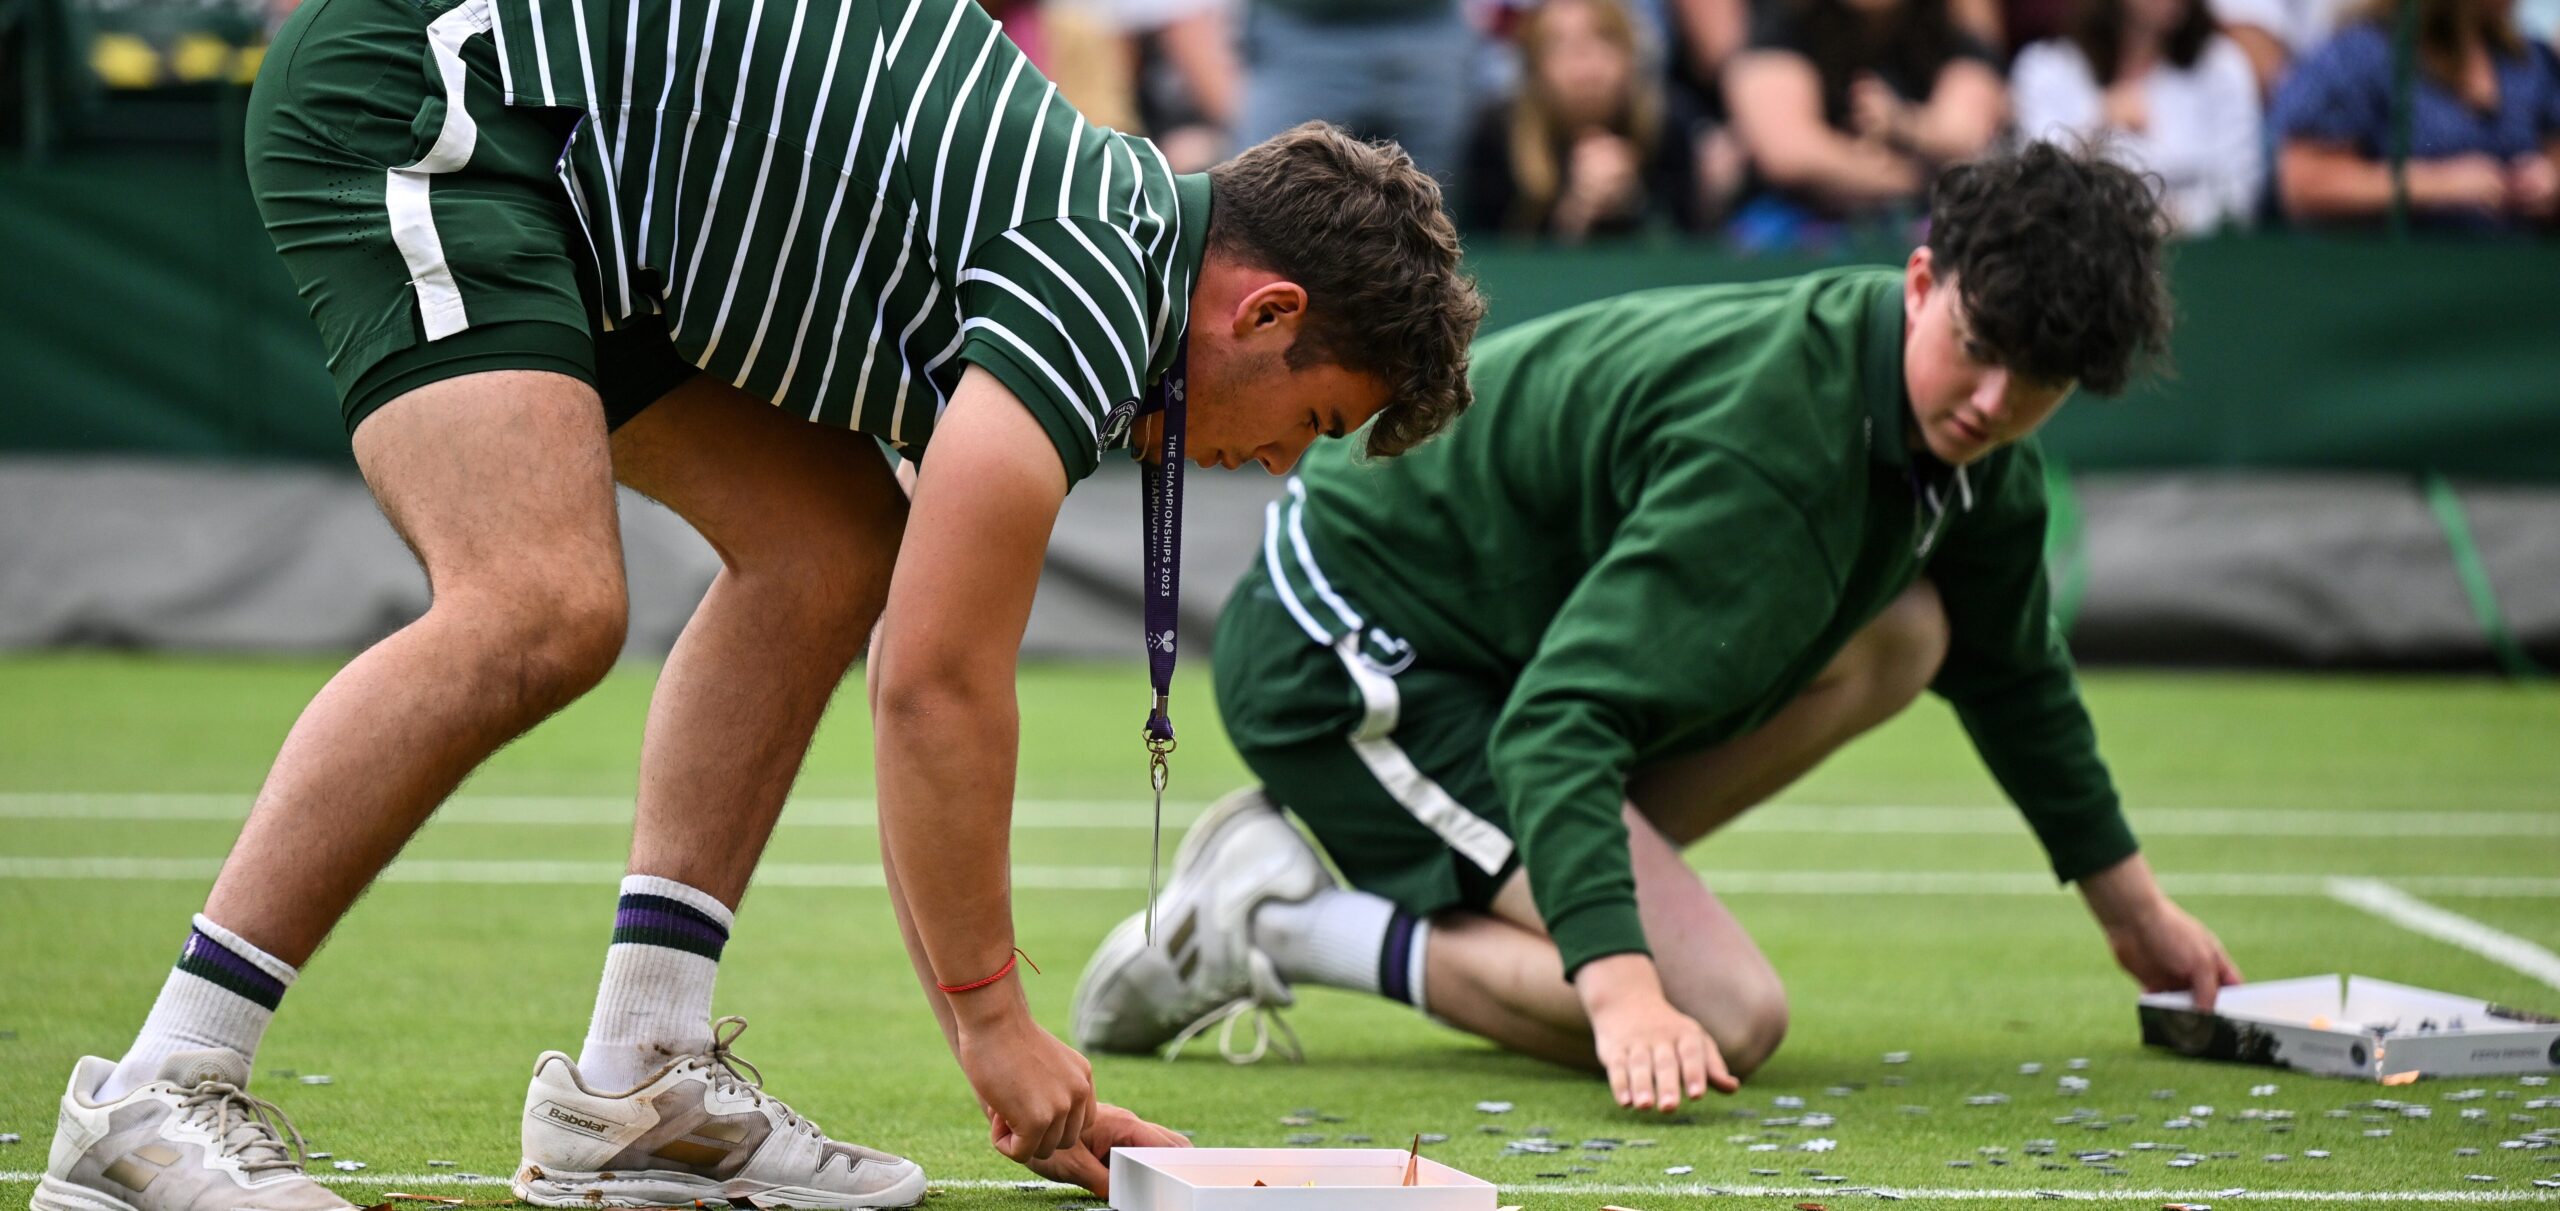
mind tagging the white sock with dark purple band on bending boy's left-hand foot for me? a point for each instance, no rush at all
(221, 995)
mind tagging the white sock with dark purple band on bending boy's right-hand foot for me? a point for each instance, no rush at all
(657, 997)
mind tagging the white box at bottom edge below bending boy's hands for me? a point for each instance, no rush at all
(1348, 1179)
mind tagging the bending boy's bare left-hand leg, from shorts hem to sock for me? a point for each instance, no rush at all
(500, 485)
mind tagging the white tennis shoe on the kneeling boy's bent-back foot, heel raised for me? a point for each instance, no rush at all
(1204, 969)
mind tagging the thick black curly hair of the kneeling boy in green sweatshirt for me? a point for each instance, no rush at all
(2057, 255)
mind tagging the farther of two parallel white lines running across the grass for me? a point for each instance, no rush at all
(1133, 815)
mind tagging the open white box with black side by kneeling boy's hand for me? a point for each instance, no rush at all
(2351, 1025)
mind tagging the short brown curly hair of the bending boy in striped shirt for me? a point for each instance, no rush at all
(1371, 242)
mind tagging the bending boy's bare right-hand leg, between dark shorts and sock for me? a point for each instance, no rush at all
(808, 526)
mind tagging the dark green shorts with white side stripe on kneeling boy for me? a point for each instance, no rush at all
(1381, 757)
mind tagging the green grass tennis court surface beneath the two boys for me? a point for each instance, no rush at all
(1906, 908)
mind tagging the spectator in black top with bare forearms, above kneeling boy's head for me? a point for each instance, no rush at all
(1847, 109)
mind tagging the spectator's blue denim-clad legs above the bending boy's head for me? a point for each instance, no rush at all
(1379, 68)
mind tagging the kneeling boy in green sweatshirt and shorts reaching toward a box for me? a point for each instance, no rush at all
(1688, 544)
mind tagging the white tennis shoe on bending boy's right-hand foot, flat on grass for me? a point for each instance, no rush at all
(700, 1133)
